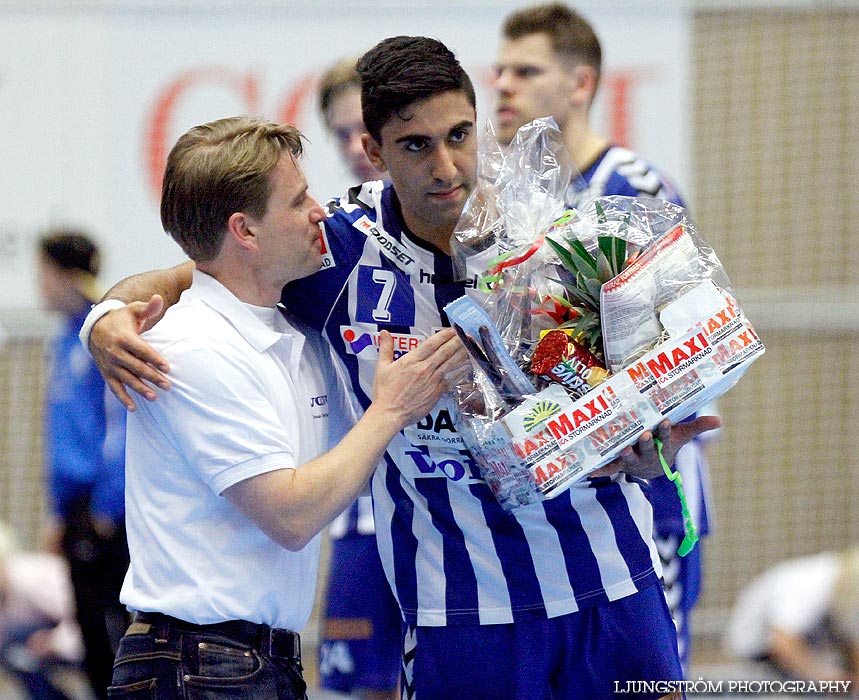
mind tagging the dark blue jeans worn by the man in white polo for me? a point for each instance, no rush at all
(161, 658)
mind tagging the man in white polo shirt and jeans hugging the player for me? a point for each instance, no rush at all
(228, 482)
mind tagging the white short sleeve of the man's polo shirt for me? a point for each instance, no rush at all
(219, 416)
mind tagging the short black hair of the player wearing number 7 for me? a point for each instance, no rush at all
(405, 69)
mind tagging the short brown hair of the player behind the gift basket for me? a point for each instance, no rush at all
(570, 34)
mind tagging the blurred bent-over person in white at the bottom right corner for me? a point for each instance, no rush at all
(802, 617)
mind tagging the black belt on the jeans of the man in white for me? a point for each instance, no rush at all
(270, 641)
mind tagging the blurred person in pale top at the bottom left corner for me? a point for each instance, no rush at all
(38, 632)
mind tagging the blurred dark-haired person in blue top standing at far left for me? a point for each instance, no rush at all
(85, 474)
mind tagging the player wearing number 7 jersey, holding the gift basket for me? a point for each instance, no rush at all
(556, 600)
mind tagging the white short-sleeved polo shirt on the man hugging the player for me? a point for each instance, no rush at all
(245, 400)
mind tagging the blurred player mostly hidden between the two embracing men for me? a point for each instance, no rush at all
(359, 652)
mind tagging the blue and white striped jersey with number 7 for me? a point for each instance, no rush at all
(451, 554)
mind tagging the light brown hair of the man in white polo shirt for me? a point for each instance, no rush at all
(217, 169)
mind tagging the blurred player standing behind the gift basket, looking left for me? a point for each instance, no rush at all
(549, 64)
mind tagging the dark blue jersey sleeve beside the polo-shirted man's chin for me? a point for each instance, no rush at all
(311, 299)
